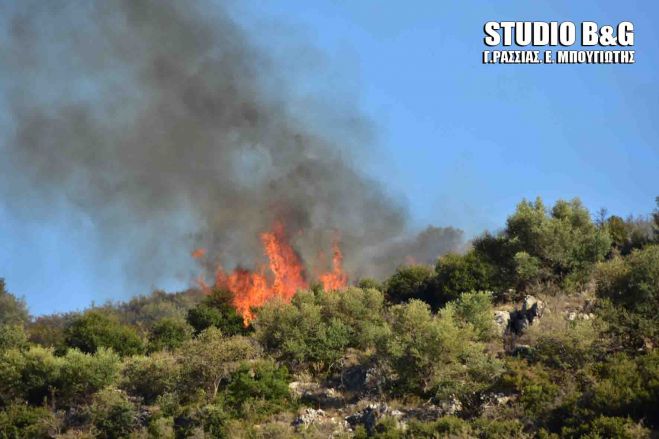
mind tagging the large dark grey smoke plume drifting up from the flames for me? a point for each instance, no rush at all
(170, 129)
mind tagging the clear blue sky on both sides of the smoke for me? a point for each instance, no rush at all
(459, 141)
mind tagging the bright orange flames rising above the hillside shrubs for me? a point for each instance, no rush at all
(283, 276)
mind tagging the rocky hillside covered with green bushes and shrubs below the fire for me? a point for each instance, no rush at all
(547, 328)
